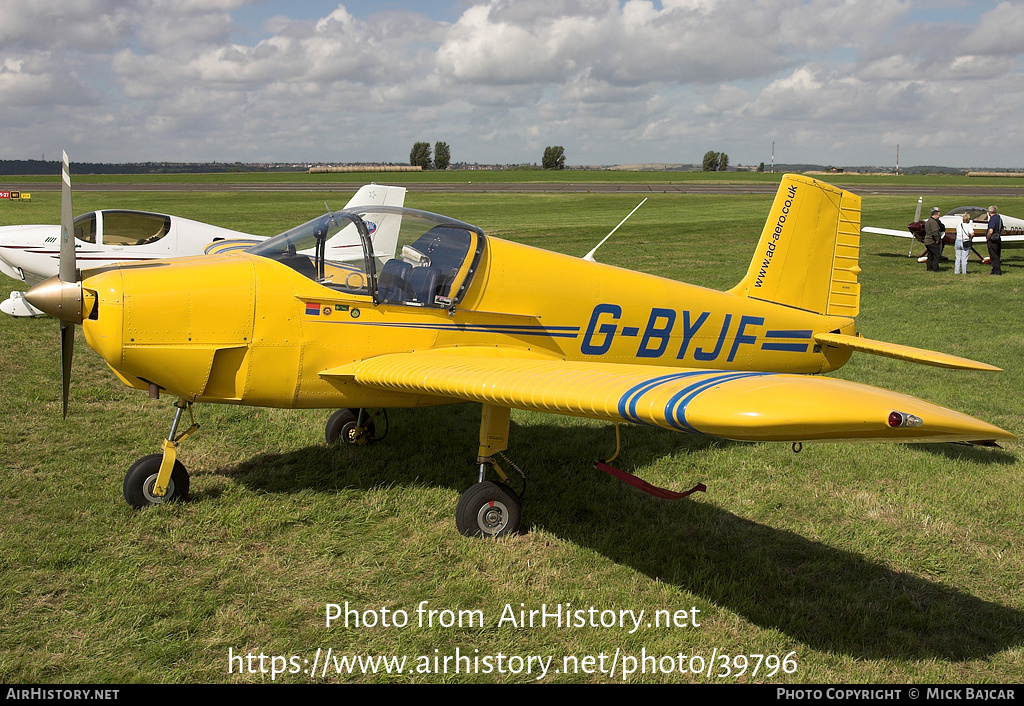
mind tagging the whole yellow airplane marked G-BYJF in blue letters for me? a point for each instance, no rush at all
(462, 317)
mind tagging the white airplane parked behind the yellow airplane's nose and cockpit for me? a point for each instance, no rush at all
(30, 254)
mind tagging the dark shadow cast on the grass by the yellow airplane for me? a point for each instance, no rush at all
(829, 599)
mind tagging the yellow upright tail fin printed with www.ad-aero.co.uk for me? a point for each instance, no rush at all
(807, 256)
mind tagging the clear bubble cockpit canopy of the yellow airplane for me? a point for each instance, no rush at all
(396, 256)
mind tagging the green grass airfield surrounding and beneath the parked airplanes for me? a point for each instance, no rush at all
(856, 563)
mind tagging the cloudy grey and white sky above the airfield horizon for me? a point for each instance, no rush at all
(839, 82)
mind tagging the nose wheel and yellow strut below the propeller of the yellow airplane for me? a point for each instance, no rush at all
(161, 478)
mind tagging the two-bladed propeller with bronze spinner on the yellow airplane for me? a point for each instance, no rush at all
(61, 297)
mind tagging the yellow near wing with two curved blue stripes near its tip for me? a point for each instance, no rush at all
(737, 405)
